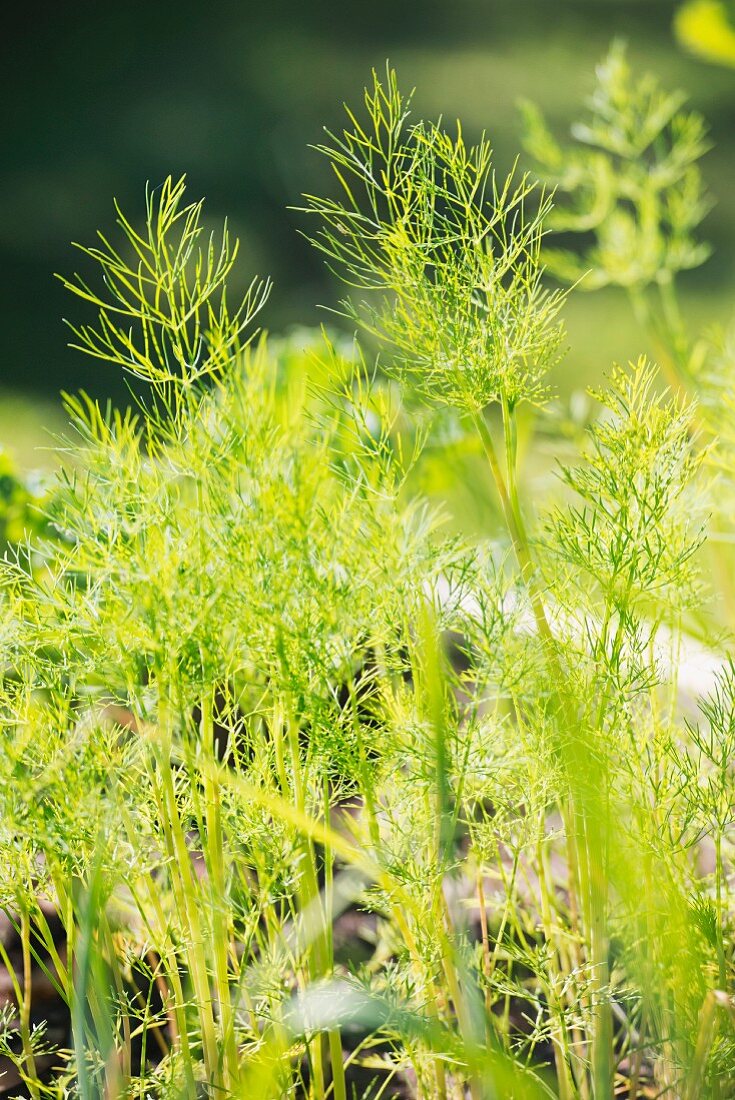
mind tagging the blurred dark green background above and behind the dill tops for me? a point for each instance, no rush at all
(101, 98)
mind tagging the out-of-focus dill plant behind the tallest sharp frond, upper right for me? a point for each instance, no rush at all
(632, 182)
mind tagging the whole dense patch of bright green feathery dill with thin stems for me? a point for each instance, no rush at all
(304, 795)
